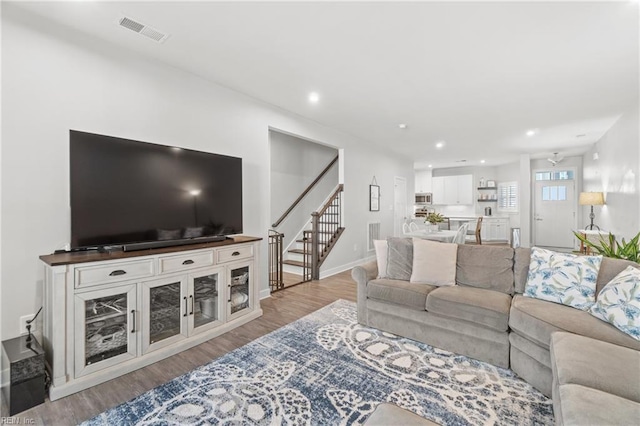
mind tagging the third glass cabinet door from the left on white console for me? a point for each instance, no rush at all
(205, 288)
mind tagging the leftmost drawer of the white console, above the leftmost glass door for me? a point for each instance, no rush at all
(121, 271)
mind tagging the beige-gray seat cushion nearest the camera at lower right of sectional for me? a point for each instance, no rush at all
(595, 364)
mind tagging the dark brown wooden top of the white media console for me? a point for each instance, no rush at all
(68, 258)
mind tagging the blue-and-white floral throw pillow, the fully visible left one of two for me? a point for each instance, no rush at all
(563, 278)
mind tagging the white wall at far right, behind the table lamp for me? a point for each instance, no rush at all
(616, 172)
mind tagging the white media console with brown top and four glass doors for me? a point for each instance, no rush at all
(107, 314)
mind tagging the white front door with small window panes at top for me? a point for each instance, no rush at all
(554, 215)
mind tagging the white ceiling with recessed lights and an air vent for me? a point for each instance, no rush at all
(477, 75)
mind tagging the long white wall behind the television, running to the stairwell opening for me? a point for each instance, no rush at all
(54, 79)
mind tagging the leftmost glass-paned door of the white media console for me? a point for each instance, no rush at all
(105, 328)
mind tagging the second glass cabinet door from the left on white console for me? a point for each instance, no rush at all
(165, 305)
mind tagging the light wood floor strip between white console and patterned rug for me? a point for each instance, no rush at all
(281, 308)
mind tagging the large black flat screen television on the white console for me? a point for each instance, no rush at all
(138, 195)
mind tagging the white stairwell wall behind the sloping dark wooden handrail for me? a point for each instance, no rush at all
(295, 163)
